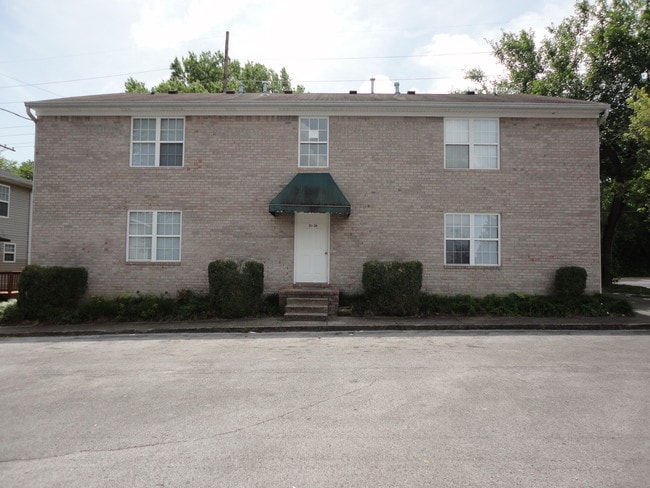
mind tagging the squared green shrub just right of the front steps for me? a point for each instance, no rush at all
(392, 287)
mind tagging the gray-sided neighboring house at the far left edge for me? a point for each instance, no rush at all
(15, 214)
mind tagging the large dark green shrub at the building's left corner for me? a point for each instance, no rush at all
(44, 291)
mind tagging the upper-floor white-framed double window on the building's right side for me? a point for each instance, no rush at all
(472, 143)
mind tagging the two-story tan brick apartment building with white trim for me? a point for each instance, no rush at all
(491, 193)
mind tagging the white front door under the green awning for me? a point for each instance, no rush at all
(311, 248)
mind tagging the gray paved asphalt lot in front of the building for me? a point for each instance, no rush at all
(305, 410)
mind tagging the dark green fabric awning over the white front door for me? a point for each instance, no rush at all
(311, 192)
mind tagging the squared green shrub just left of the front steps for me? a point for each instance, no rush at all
(236, 290)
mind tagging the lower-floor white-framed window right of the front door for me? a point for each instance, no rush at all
(472, 239)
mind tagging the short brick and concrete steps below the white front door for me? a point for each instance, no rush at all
(309, 302)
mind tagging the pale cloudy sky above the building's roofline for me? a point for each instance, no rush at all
(69, 48)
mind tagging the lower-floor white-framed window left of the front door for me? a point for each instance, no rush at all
(154, 236)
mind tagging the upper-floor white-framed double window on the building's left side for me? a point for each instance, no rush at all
(157, 142)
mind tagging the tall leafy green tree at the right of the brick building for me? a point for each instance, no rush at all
(601, 53)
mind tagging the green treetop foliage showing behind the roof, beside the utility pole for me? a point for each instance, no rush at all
(204, 73)
